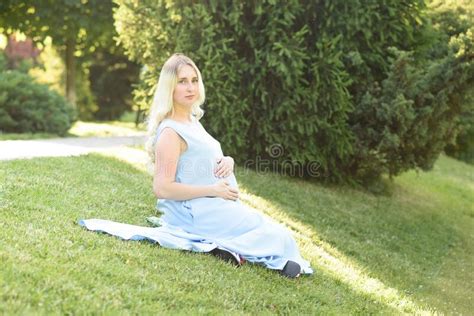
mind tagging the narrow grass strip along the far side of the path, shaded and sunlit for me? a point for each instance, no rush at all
(84, 129)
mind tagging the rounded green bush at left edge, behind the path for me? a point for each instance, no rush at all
(26, 106)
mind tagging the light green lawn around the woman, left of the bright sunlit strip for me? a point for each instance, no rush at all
(51, 263)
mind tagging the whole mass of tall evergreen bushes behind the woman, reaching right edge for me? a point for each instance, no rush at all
(312, 83)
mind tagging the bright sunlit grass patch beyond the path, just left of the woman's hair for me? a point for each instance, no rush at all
(113, 128)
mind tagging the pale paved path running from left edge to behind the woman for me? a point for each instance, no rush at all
(62, 147)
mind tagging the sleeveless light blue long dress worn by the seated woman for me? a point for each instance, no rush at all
(203, 224)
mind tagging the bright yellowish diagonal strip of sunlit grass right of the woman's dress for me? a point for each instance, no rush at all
(331, 261)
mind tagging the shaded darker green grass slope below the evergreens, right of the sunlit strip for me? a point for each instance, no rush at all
(402, 239)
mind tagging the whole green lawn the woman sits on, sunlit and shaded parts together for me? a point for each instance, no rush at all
(407, 252)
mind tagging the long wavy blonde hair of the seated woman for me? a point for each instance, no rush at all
(162, 105)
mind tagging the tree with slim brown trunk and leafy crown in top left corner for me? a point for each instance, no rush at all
(76, 27)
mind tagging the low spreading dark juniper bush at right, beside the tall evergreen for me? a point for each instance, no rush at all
(412, 116)
